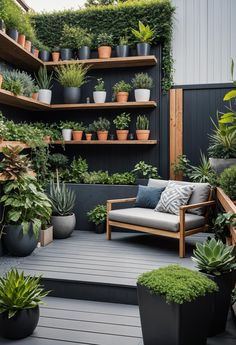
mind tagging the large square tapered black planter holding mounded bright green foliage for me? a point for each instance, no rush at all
(173, 324)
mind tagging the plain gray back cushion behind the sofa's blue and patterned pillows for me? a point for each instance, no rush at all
(200, 193)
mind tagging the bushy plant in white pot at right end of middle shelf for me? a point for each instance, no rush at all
(142, 84)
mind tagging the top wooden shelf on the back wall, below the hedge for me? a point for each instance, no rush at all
(130, 61)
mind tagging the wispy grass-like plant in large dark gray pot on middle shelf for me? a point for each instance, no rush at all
(72, 77)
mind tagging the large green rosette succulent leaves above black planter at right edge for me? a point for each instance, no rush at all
(214, 257)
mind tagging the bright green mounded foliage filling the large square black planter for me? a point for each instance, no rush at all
(177, 284)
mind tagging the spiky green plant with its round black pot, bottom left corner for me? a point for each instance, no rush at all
(20, 297)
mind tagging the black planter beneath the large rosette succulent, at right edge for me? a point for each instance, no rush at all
(221, 302)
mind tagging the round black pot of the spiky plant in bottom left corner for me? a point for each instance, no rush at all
(19, 326)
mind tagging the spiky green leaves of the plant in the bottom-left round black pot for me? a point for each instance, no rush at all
(18, 292)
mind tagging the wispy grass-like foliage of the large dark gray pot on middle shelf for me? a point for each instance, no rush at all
(72, 75)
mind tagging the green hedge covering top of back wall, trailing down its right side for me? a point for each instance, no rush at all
(118, 20)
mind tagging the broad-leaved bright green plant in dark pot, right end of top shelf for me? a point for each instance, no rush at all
(145, 35)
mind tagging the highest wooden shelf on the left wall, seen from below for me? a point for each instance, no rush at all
(15, 54)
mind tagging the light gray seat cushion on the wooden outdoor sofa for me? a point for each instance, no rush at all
(152, 219)
